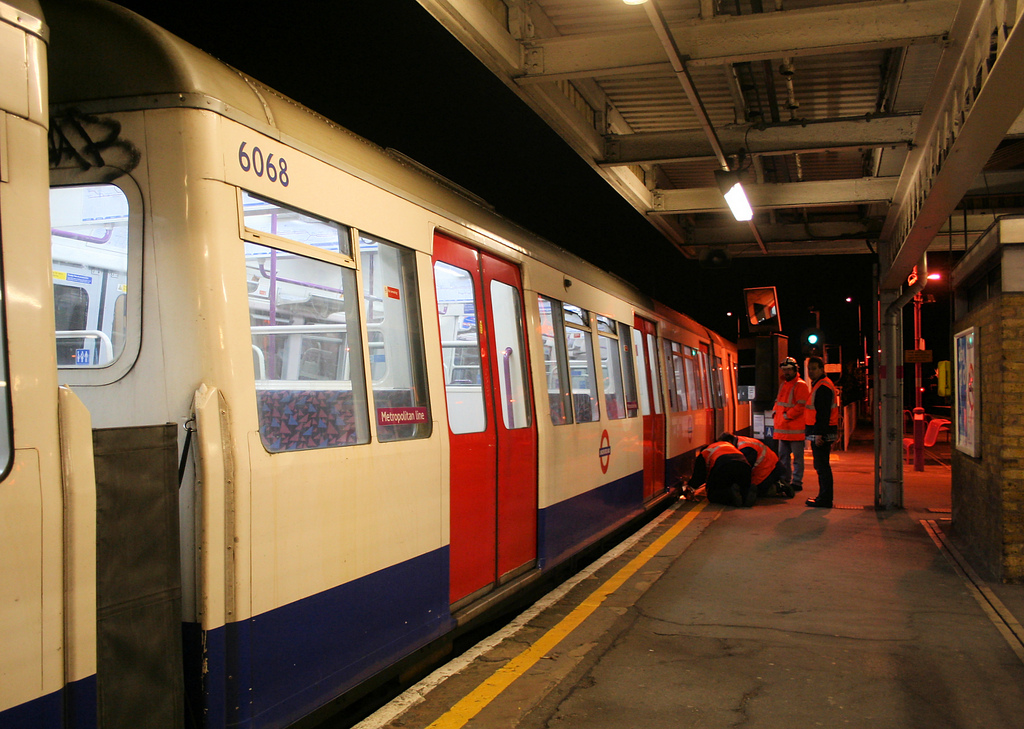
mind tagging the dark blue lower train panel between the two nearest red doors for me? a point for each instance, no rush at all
(566, 527)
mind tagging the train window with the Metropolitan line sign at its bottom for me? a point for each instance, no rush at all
(395, 336)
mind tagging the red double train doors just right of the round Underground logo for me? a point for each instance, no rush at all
(652, 408)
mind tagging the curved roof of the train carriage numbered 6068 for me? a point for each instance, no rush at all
(90, 75)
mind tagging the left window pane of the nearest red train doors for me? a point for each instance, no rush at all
(460, 349)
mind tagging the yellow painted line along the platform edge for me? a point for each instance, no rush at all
(479, 700)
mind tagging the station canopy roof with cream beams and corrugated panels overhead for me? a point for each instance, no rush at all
(857, 127)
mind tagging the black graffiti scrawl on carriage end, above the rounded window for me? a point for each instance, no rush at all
(89, 142)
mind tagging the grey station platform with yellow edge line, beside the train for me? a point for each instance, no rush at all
(779, 616)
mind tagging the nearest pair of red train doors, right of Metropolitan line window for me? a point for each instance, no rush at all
(493, 435)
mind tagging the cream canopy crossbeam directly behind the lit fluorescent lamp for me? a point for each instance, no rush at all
(788, 195)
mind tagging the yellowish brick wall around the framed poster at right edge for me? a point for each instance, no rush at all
(989, 492)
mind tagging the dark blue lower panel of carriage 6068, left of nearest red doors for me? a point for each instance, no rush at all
(279, 667)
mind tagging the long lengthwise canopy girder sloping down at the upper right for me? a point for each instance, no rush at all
(959, 130)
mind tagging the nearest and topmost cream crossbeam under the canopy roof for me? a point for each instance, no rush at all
(731, 39)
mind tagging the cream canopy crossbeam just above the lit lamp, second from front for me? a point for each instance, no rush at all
(861, 133)
